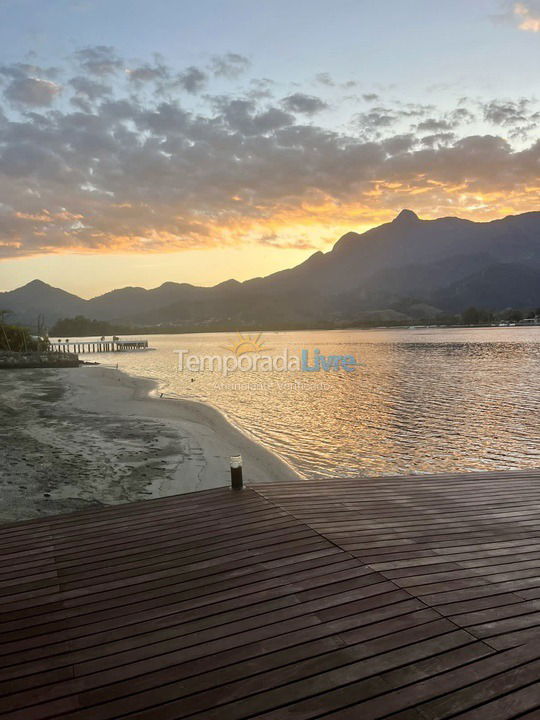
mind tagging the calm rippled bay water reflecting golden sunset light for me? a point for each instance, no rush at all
(425, 400)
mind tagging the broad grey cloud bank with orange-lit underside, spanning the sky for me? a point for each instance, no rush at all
(132, 163)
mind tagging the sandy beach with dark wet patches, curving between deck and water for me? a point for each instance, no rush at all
(76, 437)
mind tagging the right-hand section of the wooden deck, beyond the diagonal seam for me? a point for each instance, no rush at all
(461, 544)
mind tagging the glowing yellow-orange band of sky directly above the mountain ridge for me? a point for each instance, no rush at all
(247, 247)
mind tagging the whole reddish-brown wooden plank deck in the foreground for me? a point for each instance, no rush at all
(411, 598)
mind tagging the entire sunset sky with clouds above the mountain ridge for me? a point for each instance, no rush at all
(171, 140)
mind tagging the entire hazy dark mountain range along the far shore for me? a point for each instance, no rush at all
(445, 264)
